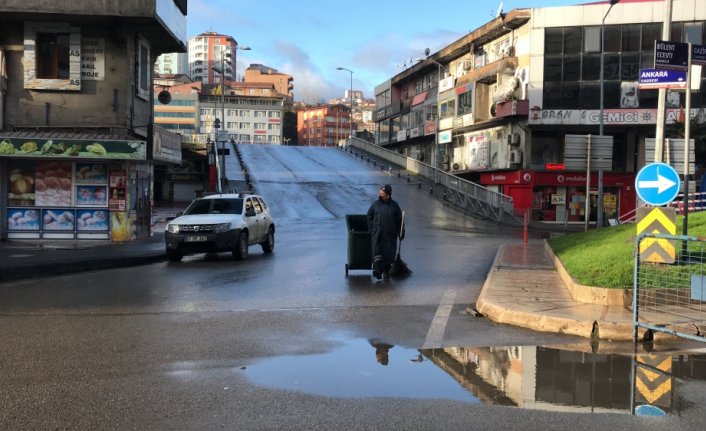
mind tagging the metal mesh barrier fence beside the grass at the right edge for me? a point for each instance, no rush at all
(671, 298)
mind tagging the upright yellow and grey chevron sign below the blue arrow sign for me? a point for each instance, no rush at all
(659, 221)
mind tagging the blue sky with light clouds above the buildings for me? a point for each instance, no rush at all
(309, 39)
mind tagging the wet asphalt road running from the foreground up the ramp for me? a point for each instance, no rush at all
(195, 345)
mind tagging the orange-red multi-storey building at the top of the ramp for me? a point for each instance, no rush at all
(324, 126)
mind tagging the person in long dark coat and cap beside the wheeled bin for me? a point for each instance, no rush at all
(385, 222)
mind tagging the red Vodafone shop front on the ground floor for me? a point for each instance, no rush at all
(560, 197)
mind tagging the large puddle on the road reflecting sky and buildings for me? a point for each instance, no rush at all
(528, 377)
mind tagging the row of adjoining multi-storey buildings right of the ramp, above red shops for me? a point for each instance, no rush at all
(514, 91)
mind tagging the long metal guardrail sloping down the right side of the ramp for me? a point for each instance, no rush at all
(465, 194)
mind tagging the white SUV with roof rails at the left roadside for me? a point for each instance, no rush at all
(221, 222)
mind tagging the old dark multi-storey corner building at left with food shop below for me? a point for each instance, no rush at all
(77, 138)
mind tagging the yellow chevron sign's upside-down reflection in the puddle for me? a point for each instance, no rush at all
(653, 379)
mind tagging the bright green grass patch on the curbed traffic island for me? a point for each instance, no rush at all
(604, 257)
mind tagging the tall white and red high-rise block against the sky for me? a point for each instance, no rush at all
(209, 51)
